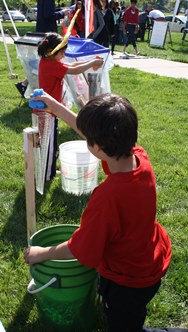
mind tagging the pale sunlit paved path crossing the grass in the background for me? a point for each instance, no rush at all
(150, 65)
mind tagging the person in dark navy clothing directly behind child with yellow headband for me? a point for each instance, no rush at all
(47, 16)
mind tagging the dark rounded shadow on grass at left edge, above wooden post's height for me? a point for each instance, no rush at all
(19, 118)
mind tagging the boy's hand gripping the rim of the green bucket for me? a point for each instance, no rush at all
(34, 255)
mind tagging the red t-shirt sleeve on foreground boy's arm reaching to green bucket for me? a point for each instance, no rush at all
(88, 243)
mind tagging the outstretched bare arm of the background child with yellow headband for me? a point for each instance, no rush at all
(85, 65)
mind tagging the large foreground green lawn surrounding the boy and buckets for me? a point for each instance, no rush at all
(161, 104)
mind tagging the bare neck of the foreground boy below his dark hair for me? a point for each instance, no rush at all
(124, 164)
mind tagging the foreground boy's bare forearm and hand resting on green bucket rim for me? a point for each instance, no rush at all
(35, 254)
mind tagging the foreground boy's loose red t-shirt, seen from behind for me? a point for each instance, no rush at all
(119, 234)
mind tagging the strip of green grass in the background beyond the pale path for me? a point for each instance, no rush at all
(175, 51)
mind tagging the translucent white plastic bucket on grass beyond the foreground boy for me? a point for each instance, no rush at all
(79, 168)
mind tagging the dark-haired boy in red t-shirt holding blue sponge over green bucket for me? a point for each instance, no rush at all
(119, 234)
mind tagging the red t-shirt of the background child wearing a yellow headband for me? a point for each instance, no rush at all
(50, 76)
